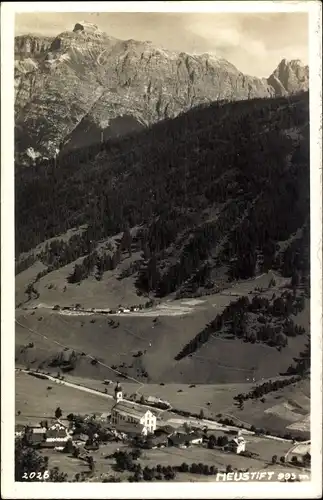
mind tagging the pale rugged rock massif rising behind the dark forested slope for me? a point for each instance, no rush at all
(71, 88)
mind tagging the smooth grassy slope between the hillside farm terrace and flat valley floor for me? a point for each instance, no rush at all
(219, 360)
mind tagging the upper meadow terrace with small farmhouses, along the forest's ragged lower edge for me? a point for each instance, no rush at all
(110, 292)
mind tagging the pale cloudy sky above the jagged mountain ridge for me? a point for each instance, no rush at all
(255, 43)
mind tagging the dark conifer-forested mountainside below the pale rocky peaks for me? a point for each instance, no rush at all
(222, 190)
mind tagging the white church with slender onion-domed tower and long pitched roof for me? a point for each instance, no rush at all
(130, 417)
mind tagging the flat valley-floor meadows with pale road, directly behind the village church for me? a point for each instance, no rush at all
(76, 395)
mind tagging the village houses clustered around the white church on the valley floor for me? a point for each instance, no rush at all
(127, 421)
